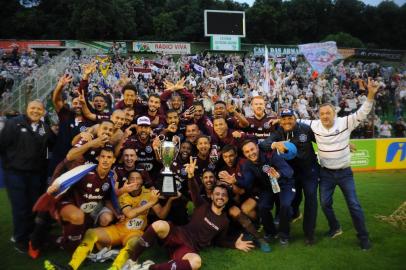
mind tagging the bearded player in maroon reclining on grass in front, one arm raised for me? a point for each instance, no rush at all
(209, 222)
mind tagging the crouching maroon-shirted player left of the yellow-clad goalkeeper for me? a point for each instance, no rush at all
(82, 205)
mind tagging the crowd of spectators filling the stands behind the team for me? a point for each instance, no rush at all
(237, 79)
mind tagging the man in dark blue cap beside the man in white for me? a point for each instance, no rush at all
(304, 165)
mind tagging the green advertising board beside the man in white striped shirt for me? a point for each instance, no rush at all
(365, 155)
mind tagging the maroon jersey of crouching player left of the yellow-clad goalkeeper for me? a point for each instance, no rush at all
(88, 192)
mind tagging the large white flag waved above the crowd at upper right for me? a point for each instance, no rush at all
(319, 55)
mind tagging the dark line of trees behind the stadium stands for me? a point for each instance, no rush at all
(350, 22)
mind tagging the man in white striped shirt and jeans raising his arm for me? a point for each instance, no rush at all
(333, 136)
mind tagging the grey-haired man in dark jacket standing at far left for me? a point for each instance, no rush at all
(24, 143)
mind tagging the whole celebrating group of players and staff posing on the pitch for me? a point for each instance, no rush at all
(241, 174)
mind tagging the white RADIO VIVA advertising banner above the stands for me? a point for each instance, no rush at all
(162, 47)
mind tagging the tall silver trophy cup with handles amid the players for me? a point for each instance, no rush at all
(168, 151)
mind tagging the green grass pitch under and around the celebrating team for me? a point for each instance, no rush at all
(380, 193)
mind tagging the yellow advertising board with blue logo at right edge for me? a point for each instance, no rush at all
(391, 154)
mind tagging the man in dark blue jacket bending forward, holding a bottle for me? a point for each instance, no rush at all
(256, 173)
